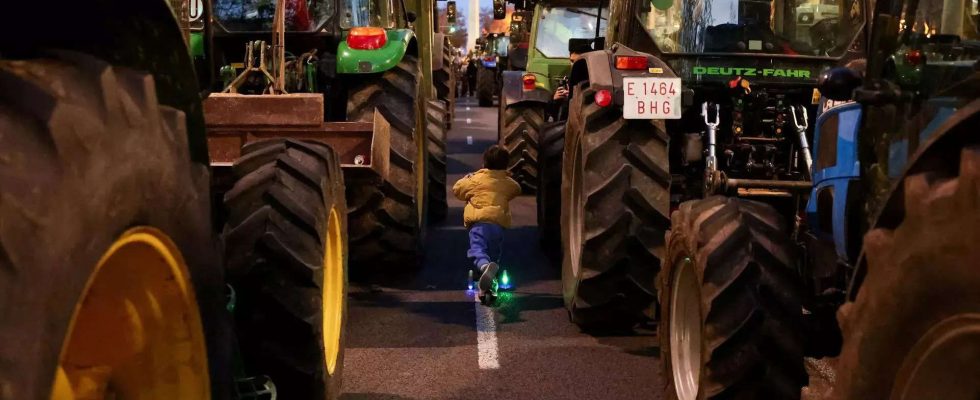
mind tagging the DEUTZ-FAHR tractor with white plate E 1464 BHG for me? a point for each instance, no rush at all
(682, 103)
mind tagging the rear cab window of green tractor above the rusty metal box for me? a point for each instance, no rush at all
(257, 15)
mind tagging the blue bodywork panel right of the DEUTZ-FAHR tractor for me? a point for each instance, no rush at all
(837, 177)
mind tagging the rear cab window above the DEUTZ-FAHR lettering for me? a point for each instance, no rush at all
(786, 27)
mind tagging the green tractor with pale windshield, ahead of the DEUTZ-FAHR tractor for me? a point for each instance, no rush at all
(526, 96)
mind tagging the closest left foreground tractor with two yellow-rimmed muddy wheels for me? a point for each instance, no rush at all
(113, 283)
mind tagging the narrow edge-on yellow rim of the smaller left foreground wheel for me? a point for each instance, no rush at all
(333, 291)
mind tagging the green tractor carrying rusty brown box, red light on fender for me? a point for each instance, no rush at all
(359, 62)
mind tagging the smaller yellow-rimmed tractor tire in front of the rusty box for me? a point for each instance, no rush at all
(286, 258)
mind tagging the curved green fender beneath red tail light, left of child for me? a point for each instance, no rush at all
(353, 61)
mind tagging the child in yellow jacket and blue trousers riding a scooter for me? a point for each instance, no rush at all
(487, 194)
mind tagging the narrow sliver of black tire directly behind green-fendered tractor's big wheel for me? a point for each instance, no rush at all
(436, 132)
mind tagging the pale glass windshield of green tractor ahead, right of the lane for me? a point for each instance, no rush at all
(558, 24)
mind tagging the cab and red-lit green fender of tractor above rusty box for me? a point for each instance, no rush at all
(323, 40)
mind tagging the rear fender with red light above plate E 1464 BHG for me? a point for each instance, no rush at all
(598, 68)
